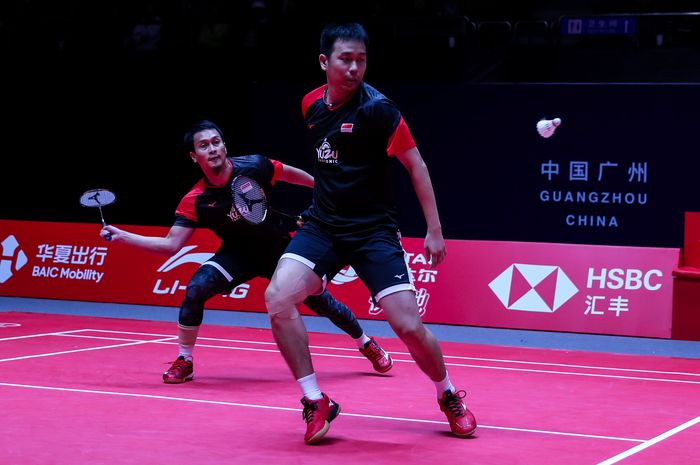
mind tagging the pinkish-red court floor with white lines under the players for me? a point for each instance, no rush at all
(87, 390)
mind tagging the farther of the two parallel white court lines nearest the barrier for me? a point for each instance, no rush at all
(458, 357)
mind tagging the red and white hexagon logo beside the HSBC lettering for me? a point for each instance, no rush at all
(533, 288)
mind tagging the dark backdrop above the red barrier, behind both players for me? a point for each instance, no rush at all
(87, 103)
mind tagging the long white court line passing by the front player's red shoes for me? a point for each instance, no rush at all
(270, 407)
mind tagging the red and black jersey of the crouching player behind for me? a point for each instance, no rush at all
(210, 207)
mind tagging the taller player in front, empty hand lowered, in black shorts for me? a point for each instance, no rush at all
(354, 131)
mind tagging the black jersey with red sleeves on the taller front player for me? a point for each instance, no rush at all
(353, 143)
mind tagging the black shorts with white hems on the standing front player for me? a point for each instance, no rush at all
(376, 256)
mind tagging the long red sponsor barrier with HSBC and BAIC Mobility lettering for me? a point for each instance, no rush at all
(557, 287)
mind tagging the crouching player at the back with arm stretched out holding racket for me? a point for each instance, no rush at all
(246, 251)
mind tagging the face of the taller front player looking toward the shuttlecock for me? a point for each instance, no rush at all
(345, 68)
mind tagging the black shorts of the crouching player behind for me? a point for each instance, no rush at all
(240, 263)
